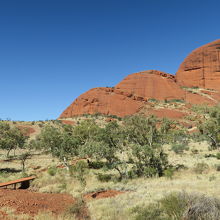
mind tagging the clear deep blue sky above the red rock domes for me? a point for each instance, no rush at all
(51, 51)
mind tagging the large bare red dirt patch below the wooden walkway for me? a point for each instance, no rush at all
(27, 202)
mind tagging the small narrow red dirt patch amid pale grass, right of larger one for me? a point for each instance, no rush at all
(103, 194)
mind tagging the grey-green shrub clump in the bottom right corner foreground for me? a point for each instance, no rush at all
(179, 206)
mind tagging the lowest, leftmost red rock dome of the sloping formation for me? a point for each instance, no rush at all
(105, 101)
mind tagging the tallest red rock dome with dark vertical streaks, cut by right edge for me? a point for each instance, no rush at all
(201, 68)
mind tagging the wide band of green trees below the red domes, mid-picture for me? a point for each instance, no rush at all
(133, 148)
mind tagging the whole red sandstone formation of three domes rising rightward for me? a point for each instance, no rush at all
(200, 69)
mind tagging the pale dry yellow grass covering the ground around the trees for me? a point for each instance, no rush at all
(139, 191)
